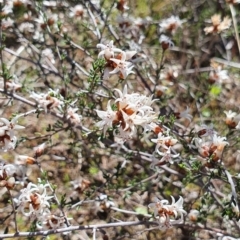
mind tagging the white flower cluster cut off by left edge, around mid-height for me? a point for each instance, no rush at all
(8, 139)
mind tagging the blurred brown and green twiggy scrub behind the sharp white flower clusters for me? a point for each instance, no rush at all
(83, 165)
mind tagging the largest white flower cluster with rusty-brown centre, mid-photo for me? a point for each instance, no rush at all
(132, 110)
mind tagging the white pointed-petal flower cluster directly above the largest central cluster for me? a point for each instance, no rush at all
(116, 63)
